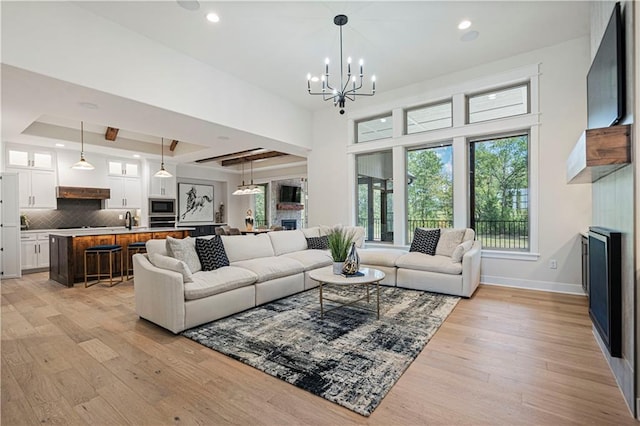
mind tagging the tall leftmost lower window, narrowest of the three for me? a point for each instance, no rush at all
(375, 195)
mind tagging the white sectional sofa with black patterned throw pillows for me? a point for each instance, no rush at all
(270, 266)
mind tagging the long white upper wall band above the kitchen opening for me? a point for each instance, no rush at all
(77, 46)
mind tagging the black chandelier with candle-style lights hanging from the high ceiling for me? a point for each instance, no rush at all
(349, 87)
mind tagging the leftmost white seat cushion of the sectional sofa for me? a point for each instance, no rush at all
(208, 283)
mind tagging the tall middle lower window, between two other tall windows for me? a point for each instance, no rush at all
(429, 188)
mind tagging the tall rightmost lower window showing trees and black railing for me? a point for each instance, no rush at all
(499, 189)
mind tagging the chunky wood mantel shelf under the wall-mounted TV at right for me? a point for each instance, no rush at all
(598, 153)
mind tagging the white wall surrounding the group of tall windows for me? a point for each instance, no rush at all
(564, 210)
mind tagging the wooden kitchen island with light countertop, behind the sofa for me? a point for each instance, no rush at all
(66, 248)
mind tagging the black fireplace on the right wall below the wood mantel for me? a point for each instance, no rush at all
(605, 295)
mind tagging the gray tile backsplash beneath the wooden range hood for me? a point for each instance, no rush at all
(76, 214)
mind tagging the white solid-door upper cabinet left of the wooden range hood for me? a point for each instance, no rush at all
(37, 188)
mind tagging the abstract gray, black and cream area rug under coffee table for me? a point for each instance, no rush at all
(347, 357)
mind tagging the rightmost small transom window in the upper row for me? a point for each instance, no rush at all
(498, 104)
